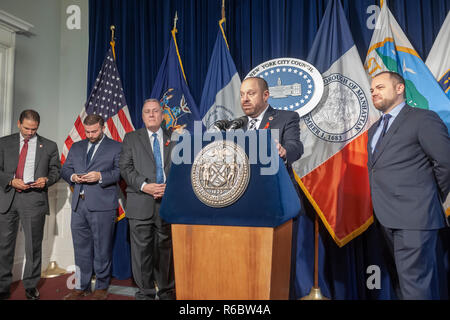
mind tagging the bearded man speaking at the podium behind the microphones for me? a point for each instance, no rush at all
(260, 115)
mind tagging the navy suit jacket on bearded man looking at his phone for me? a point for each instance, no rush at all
(98, 196)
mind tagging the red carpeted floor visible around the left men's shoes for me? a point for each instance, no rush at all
(56, 288)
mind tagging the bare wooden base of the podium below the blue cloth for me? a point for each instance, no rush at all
(232, 263)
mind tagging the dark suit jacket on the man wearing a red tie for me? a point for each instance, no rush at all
(47, 164)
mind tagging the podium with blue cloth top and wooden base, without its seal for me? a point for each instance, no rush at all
(241, 251)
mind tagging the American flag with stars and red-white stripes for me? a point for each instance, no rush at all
(108, 101)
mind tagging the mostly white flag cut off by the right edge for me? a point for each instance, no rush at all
(438, 60)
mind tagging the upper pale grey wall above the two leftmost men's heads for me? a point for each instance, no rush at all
(50, 65)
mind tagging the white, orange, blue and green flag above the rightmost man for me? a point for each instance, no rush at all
(390, 50)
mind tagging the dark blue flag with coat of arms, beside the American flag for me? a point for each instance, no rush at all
(179, 107)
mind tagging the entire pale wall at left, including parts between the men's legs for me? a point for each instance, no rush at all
(50, 77)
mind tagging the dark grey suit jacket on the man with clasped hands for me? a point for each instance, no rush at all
(137, 165)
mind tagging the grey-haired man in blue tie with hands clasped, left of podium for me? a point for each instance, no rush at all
(144, 164)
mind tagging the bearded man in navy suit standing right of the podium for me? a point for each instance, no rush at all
(409, 171)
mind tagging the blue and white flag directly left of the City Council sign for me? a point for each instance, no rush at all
(220, 96)
